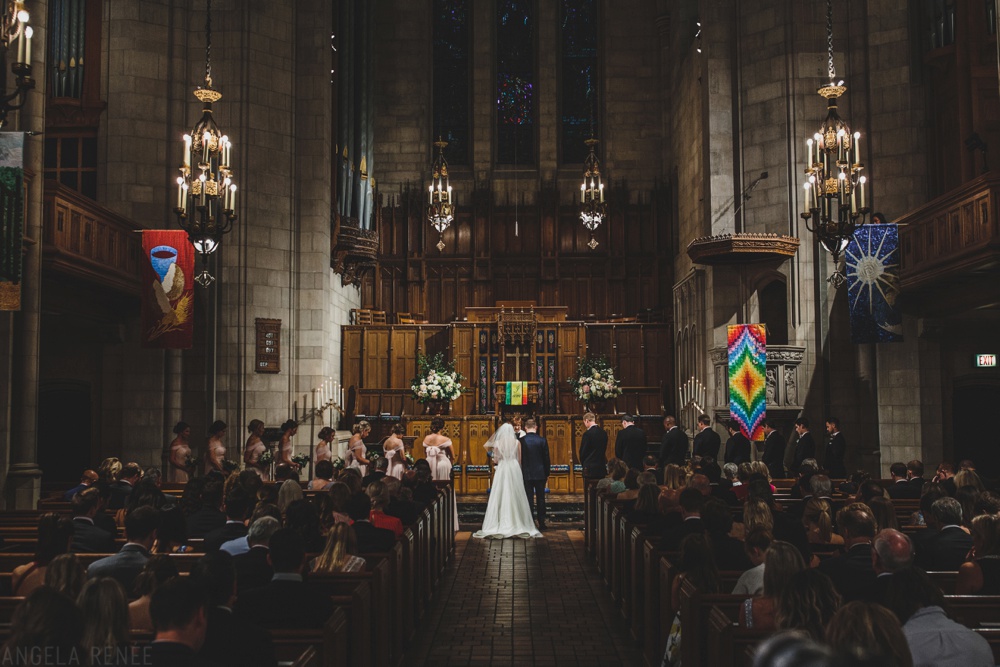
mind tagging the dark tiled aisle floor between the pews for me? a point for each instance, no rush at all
(522, 602)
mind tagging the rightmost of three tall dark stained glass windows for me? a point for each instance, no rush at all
(578, 103)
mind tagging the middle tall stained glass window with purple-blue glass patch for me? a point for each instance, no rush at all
(515, 129)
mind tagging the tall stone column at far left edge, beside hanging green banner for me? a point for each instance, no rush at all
(24, 476)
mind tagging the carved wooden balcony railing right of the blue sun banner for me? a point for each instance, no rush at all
(951, 240)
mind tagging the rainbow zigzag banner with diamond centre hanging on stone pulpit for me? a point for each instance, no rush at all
(747, 378)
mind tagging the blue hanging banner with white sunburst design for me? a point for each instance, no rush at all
(873, 284)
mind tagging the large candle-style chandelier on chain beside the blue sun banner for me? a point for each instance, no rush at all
(835, 186)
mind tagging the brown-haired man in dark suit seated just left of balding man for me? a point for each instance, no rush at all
(852, 571)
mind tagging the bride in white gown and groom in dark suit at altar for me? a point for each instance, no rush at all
(521, 470)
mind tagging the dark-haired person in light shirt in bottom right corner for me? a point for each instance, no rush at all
(934, 639)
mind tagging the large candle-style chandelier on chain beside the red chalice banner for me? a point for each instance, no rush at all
(206, 189)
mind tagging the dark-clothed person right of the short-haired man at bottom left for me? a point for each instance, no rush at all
(229, 641)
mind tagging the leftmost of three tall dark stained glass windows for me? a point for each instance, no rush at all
(451, 77)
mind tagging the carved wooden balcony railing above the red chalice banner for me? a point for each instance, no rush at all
(83, 239)
